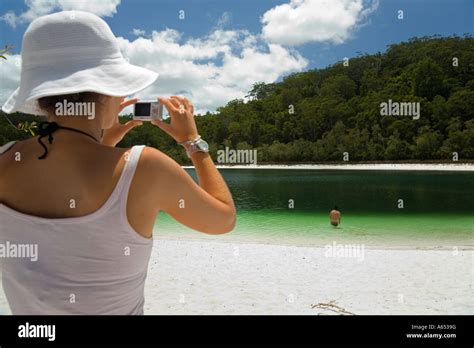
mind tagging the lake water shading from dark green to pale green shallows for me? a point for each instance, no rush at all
(437, 208)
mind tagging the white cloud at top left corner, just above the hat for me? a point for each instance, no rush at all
(37, 8)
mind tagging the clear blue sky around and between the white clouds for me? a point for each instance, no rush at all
(421, 17)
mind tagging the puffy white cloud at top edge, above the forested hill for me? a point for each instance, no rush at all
(302, 21)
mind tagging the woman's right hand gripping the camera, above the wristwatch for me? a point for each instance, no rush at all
(182, 126)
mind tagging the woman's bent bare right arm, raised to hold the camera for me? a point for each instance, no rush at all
(207, 207)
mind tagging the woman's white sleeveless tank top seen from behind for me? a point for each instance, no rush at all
(93, 264)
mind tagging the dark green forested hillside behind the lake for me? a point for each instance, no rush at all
(316, 116)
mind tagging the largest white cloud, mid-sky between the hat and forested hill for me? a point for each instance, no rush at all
(210, 70)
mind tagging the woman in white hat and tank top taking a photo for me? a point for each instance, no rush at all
(88, 206)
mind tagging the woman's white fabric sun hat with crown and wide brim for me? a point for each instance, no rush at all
(70, 52)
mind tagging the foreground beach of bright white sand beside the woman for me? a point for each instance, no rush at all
(207, 277)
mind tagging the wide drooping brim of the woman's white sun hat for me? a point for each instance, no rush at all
(114, 78)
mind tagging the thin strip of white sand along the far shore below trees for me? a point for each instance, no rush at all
(461, 167)
